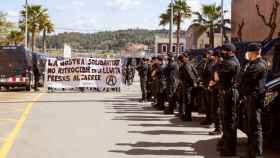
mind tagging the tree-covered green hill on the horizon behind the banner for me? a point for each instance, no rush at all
(108, 40)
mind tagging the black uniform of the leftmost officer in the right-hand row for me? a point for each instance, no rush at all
(143, 73)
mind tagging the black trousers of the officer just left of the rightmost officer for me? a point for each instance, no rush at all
(228, 103)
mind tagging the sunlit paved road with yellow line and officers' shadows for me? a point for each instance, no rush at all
(86, 125)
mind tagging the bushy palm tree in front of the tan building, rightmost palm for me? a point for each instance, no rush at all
(211, 18)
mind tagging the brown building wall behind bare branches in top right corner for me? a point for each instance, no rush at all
(247, 24)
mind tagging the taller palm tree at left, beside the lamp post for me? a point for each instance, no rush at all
(35, 15)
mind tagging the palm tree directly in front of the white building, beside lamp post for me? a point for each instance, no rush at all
(181, 11)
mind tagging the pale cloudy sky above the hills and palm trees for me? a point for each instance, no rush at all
(102, 15)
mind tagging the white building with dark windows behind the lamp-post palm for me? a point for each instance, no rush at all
(162, 43)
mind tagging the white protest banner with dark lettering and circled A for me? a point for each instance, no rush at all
(100, 74)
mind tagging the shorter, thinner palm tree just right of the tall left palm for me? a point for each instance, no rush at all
(47, 27)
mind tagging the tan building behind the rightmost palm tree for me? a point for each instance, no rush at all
(197, 37)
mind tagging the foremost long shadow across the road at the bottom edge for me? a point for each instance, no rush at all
(205, 148)
